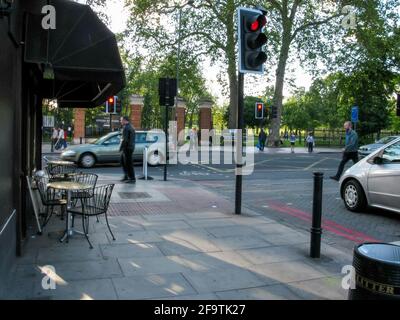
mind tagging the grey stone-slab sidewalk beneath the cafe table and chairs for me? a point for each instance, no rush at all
(176, 240)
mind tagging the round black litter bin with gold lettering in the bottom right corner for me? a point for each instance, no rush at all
(377, 272)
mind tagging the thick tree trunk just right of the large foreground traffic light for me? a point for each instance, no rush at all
(278, 95)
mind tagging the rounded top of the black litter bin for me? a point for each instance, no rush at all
(381, 251)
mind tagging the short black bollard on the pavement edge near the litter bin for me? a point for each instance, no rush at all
(316, 230)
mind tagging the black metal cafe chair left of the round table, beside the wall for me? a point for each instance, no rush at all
(50, 198)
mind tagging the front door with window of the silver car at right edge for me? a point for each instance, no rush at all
(384, 179)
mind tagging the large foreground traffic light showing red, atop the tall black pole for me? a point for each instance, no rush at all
(251, 37)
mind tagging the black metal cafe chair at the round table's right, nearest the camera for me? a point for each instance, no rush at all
(93, 206)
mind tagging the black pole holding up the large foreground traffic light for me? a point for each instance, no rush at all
(239, 146)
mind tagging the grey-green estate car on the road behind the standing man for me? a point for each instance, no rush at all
(106, 149)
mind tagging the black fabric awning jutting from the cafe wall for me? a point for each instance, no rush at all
(81, 52)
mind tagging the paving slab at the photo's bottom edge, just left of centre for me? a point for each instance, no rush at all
(152, 287)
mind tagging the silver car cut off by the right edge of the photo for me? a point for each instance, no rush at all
(374, 180)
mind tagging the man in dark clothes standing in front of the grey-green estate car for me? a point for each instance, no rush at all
(127, 148)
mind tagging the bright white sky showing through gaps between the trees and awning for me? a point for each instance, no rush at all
(119, 18)
